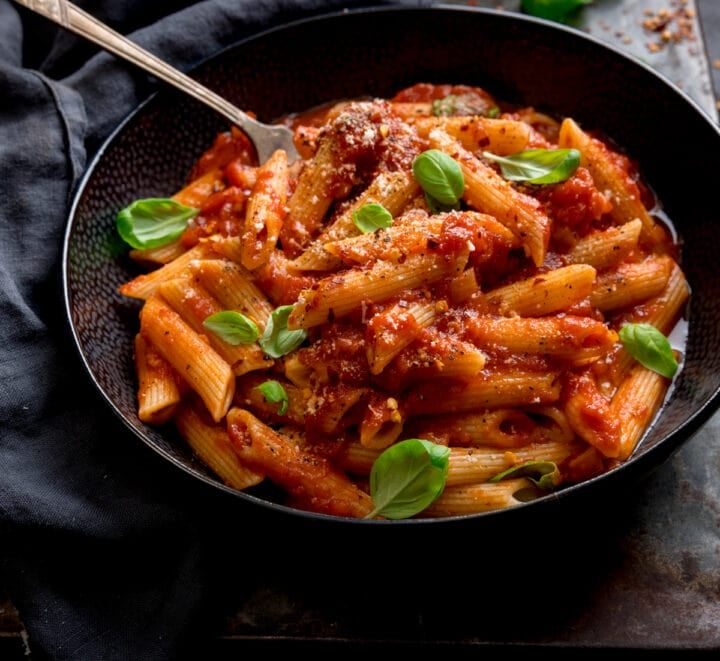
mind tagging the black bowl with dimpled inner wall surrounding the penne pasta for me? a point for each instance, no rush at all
(377, 52)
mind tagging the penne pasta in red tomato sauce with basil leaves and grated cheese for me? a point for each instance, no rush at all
(453, 305)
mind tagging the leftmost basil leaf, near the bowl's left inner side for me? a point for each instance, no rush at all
(153, 222)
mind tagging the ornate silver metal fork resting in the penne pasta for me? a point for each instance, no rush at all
(266, 138)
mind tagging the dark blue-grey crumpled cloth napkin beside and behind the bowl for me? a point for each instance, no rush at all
(109, 553)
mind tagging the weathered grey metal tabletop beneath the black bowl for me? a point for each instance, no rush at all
(641, 573)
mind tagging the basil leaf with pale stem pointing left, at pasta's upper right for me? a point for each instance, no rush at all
(538, 166)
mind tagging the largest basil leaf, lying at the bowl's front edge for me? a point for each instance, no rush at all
(407, 477)
